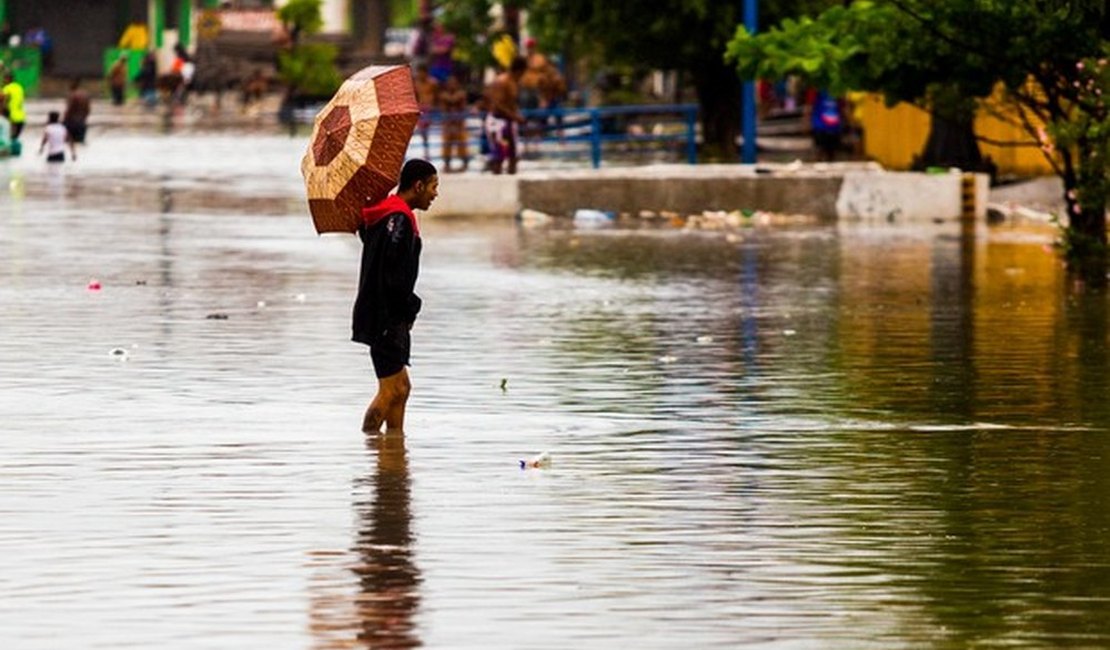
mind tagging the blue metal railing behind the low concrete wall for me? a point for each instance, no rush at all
(592, 134)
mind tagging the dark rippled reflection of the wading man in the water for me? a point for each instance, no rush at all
(388, 577)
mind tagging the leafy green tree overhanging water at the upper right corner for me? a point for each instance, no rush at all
(946, 55)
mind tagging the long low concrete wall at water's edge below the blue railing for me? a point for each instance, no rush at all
(853, 192)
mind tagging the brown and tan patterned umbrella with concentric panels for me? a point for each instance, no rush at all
(359, 145)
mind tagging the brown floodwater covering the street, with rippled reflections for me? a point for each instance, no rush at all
(806, 438)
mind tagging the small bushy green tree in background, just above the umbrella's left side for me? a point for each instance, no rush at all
(308, 69)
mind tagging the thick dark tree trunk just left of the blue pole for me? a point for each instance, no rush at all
(719, 94)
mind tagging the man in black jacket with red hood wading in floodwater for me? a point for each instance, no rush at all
(387, 307)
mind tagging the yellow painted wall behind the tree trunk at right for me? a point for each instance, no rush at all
(894, 136)
